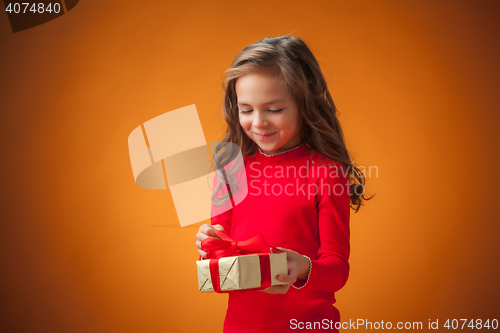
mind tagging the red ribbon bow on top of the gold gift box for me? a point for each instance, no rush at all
(226, 247)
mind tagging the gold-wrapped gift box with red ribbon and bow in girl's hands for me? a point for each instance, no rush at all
(239, 265)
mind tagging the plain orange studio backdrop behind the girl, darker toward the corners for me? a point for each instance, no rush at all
(83, 249)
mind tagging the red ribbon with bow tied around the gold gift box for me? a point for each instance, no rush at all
(226, 247)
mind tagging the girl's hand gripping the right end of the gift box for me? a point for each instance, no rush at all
(298, 267)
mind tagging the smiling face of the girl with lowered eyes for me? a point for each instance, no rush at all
(268, 113)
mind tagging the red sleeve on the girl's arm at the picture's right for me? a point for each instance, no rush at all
(330, 270)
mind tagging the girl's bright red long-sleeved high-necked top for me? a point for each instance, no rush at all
(296, 204)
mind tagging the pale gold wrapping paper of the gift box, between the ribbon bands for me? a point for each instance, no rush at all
(240, 272)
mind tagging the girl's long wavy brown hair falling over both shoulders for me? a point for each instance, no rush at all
(292, 61)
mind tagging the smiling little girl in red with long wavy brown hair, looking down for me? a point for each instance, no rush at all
(301, 186)
